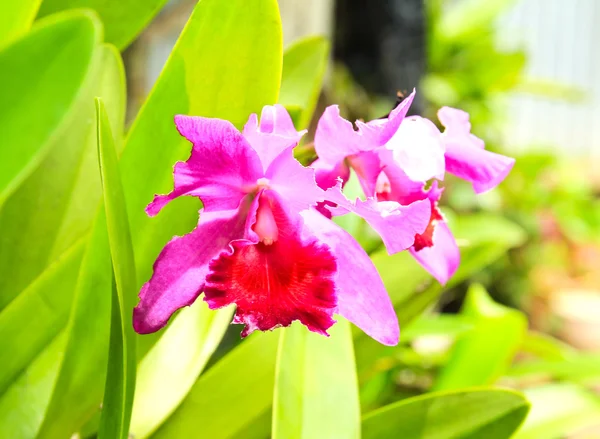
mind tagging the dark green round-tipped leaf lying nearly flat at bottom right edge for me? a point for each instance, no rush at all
(465, 414)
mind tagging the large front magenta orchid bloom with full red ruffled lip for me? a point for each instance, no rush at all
(261, 245)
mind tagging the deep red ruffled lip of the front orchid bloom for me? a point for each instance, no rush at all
(275, 283)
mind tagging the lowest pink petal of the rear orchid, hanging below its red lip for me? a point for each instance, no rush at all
(443, 257)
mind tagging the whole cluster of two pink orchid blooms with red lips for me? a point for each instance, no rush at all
(265, 240)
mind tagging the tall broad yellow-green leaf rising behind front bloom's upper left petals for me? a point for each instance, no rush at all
(226, 64)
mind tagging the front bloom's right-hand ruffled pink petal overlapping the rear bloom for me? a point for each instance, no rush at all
(396, 224)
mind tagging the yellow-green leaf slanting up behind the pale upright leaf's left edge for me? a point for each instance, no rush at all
(233, 399)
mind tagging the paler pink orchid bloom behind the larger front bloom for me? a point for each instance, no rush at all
(394, 158)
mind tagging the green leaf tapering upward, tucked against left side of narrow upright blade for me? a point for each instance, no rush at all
(78, 390)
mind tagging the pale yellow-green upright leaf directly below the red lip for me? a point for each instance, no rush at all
(316, 389)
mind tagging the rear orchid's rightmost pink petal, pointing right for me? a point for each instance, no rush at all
(465, 154)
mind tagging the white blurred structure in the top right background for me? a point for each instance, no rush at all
(562, 42)
